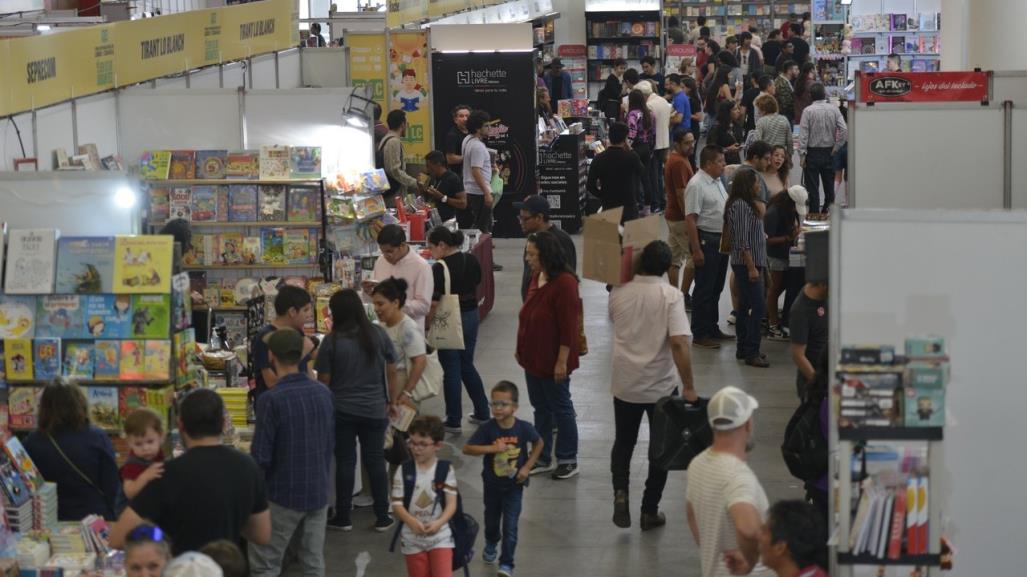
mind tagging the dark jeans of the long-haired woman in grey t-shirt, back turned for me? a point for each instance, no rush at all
(371, 432)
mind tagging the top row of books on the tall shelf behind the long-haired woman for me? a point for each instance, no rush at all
(269, 164)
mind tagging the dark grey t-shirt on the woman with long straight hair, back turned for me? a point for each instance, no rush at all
(358, 381)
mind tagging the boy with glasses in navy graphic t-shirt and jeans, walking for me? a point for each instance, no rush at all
(504, 441)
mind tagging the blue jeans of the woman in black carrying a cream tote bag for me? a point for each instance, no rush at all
(460, 366)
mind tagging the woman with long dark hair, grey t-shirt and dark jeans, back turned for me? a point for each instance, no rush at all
(358, 363)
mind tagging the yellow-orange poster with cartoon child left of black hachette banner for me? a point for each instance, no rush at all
(408, 88)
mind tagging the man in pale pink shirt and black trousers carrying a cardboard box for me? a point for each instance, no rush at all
(651, 355)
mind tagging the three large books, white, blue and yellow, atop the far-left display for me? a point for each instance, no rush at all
(41, 262)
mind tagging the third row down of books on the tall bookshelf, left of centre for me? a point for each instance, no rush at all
(275, 247)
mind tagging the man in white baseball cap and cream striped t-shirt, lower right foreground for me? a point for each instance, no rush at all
(726, 503)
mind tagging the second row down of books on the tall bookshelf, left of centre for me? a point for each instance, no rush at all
(236, 204)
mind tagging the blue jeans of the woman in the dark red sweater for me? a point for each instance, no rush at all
(553, 405)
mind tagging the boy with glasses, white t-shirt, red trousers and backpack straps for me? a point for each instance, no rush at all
(428, 541)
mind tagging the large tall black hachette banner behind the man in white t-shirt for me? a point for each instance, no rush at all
(504, 86)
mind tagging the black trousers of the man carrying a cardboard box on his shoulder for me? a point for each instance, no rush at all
(627, 419)
